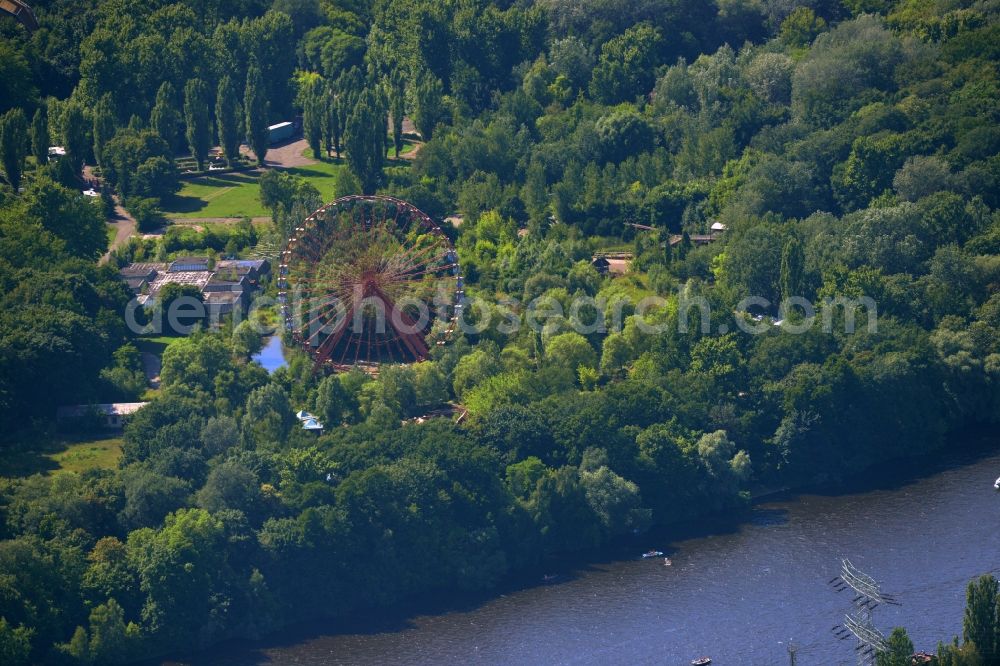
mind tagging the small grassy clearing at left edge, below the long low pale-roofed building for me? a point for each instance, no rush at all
(67, 455)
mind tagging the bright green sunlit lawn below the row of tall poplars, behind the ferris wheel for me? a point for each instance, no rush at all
(238, 194)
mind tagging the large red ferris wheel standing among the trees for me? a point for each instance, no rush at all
(363, 280)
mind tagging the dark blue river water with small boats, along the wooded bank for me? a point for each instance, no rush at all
(738, 595)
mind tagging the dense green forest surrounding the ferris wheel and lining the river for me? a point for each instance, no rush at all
(851, 148)
